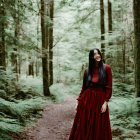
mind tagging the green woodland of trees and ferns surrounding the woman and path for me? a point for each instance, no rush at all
(44, 47)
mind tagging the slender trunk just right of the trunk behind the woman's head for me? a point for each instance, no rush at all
(109, 19)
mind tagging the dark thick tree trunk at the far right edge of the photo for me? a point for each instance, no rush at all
(136, 8)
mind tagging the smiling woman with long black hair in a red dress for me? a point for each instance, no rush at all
(92, 120)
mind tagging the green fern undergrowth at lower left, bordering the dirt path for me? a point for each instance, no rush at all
(17, 105)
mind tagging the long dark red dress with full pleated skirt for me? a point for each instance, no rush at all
(89, 123)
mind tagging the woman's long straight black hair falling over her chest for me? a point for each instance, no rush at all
(91, 66)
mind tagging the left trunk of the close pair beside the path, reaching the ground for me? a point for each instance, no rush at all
(44, 58)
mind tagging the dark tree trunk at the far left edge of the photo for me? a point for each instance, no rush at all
(2, 36)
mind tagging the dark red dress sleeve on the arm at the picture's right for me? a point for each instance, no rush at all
(108, 87)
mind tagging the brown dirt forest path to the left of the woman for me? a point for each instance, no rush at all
(56, 121)
